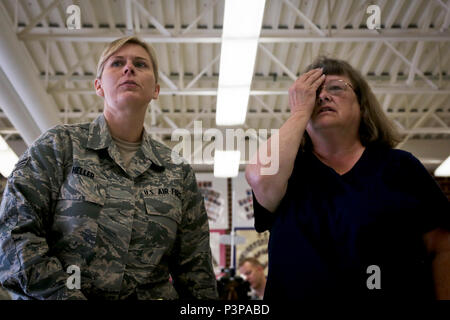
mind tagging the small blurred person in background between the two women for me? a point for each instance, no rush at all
(253, 272)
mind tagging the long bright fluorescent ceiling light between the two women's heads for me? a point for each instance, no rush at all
(241, 29)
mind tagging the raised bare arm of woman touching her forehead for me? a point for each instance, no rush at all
(270, 189)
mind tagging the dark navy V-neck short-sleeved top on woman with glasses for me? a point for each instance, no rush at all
(329, 228)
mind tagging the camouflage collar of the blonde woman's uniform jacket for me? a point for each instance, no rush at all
(100, 138)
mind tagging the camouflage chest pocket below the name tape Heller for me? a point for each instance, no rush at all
(77, 210)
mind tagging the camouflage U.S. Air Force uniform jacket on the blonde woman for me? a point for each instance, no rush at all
(136, 233)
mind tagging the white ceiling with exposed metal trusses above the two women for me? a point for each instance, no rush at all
(407, 62)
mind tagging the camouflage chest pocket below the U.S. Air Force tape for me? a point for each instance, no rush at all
(164, 214)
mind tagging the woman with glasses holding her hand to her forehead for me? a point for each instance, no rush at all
(349, 216)
